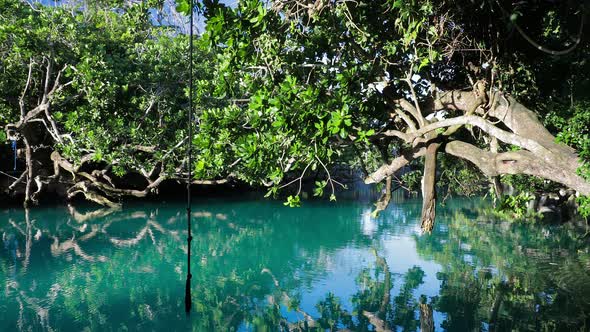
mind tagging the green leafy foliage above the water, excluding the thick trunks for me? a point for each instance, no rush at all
(283, 92)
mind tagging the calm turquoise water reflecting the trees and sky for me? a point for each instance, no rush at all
(258, 265)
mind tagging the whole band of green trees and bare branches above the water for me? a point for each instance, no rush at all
(456, 94)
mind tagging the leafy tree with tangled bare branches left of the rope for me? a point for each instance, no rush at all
(95, 97)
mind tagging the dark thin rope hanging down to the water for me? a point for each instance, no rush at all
(187, 296)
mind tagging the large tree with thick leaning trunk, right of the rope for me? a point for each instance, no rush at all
(318, 82)
